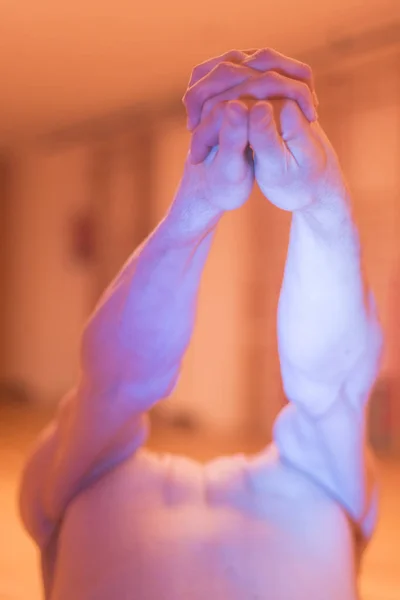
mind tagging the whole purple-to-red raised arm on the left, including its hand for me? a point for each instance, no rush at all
(133, 345)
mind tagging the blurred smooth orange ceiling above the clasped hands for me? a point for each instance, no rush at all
(64, 62)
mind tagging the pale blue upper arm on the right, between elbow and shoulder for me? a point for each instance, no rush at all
(333, 452)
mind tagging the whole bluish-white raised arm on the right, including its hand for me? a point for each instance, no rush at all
(329, 335)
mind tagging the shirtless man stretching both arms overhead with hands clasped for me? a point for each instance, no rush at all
(115, 522)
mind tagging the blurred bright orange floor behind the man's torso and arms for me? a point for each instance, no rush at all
(19, 574)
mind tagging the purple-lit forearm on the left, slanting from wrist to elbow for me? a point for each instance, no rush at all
(143, 324)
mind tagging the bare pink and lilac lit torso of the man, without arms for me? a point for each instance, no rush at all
(236, 529)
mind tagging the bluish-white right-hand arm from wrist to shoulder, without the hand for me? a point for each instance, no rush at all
(329, 344)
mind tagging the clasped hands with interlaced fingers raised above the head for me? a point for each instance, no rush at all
(253, 115)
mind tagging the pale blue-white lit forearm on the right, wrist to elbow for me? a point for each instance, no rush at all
(325, 320)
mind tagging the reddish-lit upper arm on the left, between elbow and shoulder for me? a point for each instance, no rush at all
(79, 446)
